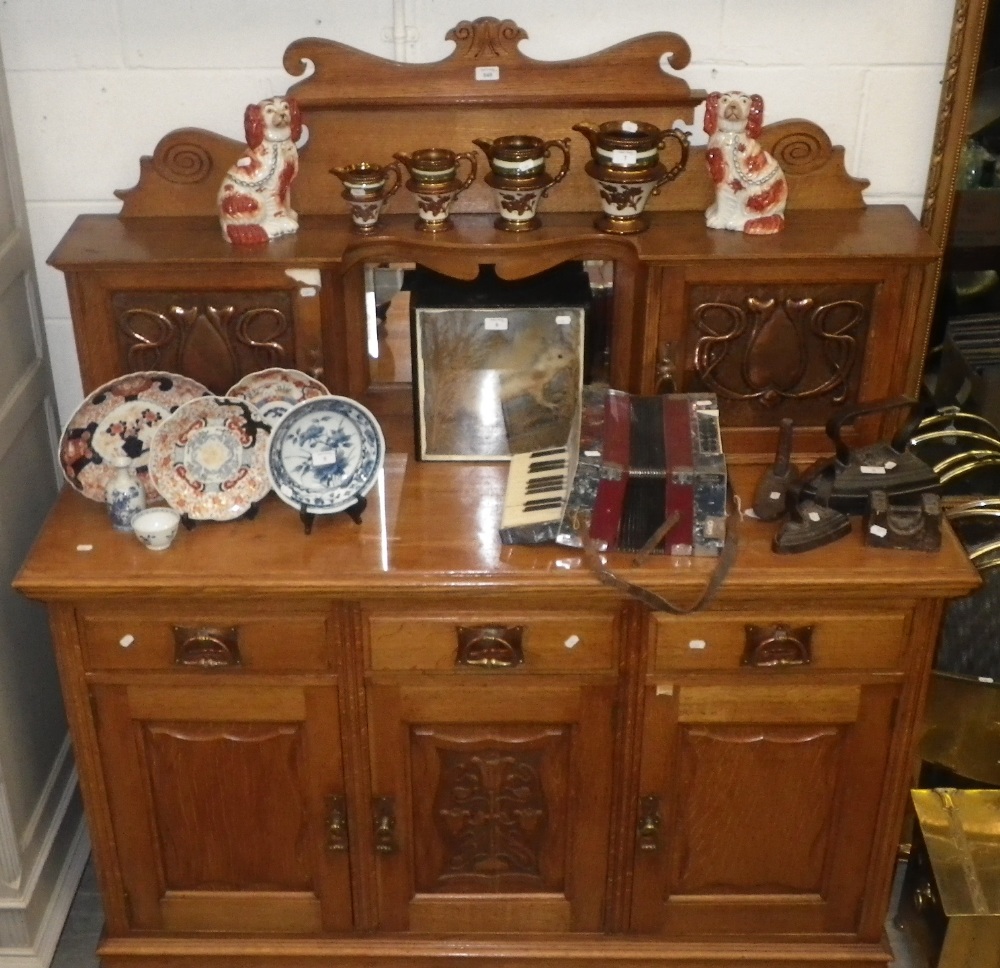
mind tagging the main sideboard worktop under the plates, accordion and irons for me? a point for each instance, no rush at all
(433, 527)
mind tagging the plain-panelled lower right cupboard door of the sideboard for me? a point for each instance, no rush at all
(758, 806)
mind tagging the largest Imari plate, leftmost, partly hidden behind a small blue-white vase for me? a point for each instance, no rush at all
(120, 419)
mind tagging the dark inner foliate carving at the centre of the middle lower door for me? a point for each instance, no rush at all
(491, 812)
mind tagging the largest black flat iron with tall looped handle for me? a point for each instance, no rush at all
(884, 466)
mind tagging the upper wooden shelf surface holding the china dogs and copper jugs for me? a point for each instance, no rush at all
(888, 232)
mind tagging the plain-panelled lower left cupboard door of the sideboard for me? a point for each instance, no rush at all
(227, 804)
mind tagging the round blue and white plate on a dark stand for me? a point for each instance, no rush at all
(325, 454)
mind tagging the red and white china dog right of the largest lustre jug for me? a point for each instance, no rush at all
(750, 187)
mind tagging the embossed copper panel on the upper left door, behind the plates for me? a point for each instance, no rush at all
(214, 338)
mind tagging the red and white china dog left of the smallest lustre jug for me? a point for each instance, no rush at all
(254, 198)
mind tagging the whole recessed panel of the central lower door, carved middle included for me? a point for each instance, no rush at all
(490, 816)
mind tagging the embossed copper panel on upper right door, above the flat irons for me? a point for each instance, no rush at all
(770, 351)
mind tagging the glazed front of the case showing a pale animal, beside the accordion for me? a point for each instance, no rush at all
(494, 381)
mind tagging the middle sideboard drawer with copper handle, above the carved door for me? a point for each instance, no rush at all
(550, 642)
